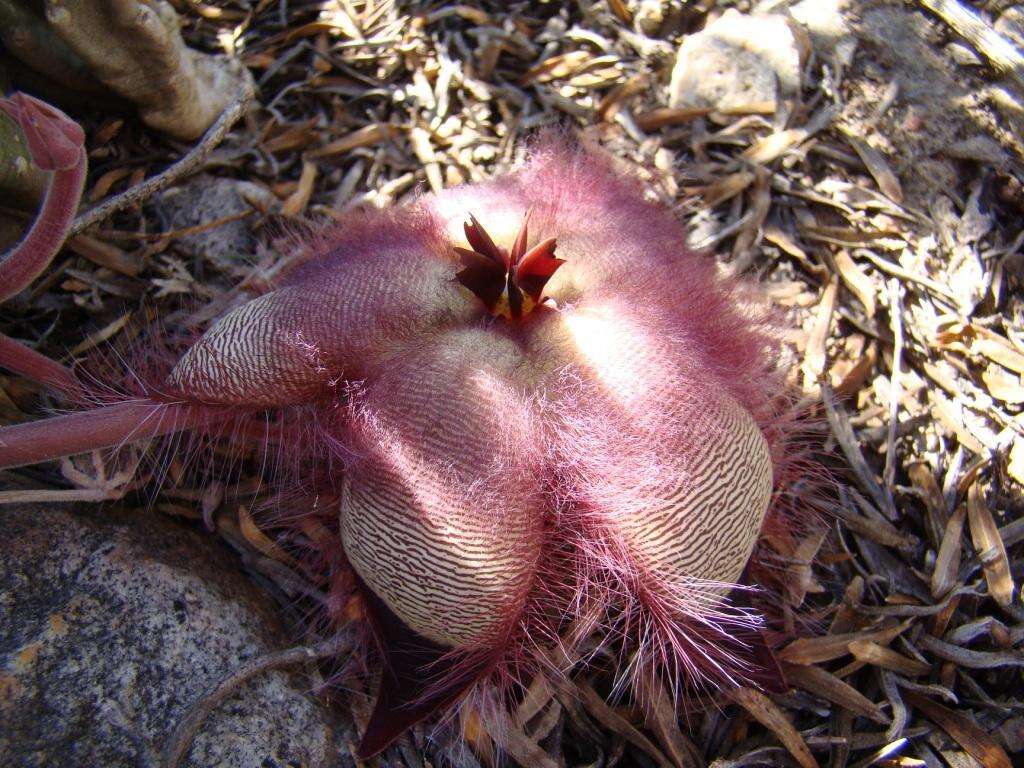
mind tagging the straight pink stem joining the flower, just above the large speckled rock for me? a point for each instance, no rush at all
(104, 428)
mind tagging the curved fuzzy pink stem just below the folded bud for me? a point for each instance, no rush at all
(36, 250)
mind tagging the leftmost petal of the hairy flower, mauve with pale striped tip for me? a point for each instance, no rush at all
(357, 301)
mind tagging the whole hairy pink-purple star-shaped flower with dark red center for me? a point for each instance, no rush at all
(608, 446)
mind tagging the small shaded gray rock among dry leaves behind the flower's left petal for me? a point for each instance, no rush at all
(207, 199)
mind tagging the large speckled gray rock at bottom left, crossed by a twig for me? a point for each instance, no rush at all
(112, 625)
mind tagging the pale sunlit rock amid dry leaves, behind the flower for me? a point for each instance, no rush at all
(739, 62)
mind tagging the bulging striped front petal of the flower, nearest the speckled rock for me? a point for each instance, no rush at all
(442, 513)
